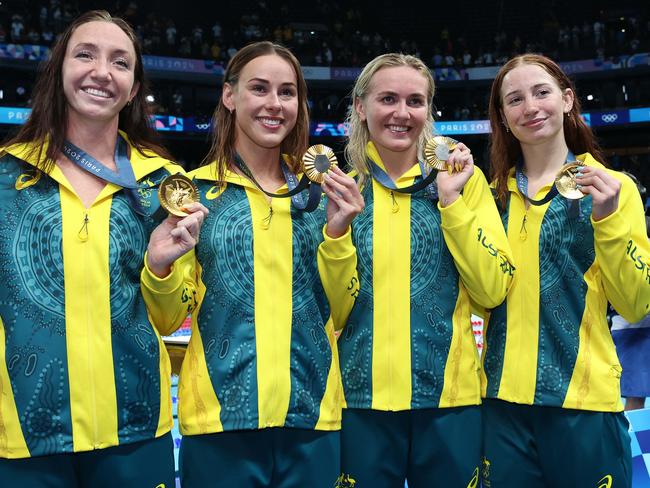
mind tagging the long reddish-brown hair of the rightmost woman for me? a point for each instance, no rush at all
(505, 149)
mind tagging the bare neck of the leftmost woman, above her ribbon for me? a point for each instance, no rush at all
(96, 138)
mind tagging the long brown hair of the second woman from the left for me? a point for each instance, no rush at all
(222, 149)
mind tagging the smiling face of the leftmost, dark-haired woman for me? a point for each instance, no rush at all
(98, 72)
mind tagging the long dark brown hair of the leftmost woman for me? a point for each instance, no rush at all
(48, 119)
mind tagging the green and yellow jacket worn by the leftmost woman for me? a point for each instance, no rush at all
(82, 366)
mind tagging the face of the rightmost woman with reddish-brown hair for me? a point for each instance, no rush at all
(534, 105)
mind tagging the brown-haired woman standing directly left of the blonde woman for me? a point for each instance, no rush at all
(260, 388)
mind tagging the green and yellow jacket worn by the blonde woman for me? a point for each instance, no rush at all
(408, 343)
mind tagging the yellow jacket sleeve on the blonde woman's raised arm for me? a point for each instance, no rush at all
(478, 243)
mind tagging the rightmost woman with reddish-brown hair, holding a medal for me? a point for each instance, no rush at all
(552, 414)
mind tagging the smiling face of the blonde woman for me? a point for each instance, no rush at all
(395, 109)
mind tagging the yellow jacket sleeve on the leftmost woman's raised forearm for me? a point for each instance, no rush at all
(171, 299)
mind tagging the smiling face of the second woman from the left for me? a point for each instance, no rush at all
(264, 101)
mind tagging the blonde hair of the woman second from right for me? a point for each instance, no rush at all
(355, 149)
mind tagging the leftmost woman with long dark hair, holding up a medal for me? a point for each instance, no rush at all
(84, 376)
